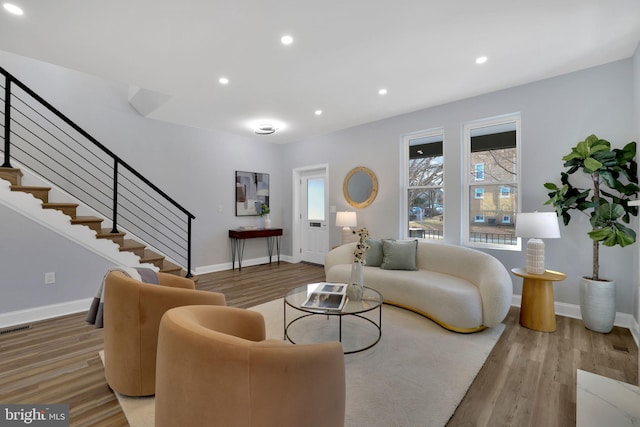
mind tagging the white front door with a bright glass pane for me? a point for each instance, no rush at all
(313, 216)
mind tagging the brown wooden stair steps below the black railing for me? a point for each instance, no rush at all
(146, 255)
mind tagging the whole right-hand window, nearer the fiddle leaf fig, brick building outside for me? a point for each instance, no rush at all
(492, 159)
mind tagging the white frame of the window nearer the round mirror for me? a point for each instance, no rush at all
(404, 184)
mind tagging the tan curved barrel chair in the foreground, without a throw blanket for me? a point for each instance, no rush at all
(215, 368)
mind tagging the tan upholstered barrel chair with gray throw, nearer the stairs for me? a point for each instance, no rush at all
(132, 313)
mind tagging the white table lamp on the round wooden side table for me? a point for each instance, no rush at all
(537, 226)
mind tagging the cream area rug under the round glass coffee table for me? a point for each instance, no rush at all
(416, 376)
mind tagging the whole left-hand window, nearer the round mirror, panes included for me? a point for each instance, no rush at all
(424, 185)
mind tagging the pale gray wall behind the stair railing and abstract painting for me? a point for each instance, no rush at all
(193, 166)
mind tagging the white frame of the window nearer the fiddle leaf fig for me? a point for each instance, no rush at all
(469, 178)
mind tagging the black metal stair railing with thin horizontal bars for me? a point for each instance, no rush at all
(44, 140)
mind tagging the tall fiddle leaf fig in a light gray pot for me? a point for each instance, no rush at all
(611, 176)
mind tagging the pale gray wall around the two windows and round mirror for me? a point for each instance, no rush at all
(556, 114)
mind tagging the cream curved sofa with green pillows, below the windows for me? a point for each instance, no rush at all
(462, 289)
